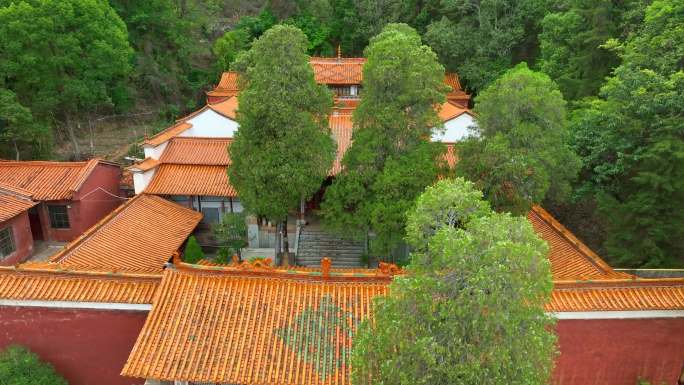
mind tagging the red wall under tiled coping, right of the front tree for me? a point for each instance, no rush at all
(620, 351)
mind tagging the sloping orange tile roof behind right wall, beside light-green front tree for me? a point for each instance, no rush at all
(570, 258)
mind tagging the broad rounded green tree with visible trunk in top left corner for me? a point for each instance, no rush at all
(63, 57)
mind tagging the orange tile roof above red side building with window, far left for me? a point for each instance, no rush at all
(47, 180)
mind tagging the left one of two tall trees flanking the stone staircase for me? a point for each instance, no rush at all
(283, 150)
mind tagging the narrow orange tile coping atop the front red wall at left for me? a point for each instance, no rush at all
(37, 284)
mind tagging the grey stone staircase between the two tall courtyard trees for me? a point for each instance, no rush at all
(315, 244)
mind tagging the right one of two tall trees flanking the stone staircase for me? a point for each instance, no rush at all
(392, 159)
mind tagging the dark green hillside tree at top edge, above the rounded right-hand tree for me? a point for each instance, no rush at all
(572, 43)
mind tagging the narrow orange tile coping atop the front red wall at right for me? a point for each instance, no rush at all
(618, 295)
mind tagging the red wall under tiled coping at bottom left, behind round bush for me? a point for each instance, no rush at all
(86, 347)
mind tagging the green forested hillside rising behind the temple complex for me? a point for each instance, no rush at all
(79, 77)
